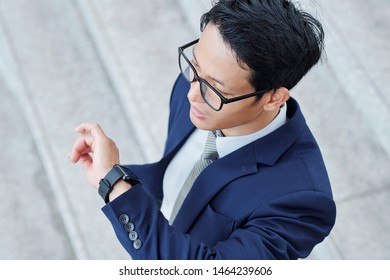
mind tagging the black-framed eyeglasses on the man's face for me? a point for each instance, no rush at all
(210, 95)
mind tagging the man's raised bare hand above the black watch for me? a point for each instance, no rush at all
(96, 152)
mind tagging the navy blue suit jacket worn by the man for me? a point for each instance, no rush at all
(271, 199)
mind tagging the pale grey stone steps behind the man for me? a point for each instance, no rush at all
(114, 62)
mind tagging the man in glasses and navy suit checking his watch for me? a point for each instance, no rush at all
(263, 190)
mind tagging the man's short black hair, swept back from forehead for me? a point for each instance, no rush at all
(277, 41)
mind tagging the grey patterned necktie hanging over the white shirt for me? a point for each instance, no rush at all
(208, 156)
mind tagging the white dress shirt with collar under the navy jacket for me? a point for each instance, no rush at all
(182, 164)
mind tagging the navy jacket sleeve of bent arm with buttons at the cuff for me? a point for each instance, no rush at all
(286, 228)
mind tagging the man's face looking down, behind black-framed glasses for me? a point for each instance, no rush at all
(215, 62)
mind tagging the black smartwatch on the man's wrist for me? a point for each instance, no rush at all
(113, 176)
